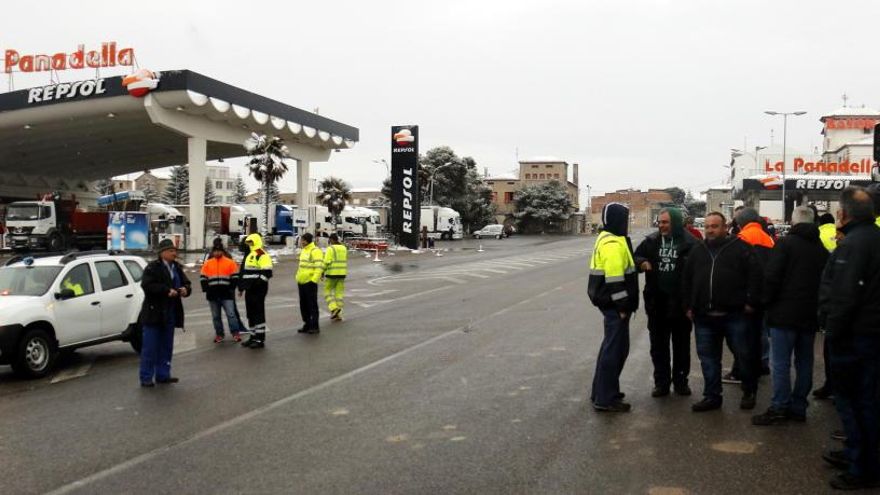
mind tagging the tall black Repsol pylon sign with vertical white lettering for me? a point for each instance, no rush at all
(405, 201)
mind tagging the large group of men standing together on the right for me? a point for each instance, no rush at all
(744, 287)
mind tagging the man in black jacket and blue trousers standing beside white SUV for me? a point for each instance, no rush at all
(164, 284)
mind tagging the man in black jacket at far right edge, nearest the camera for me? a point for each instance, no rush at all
(850, 313)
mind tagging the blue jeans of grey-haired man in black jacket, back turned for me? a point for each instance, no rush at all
(783, 343)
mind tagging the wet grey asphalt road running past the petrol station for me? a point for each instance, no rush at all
(466, 373)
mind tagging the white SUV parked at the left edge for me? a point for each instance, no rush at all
(52, 303)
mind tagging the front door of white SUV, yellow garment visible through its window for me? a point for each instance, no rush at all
(77, 319)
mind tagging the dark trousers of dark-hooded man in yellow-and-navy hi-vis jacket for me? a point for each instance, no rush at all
(612, 356)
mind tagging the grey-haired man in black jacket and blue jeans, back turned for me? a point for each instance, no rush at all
(791, 299)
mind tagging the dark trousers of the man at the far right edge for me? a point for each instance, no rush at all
(855, 369)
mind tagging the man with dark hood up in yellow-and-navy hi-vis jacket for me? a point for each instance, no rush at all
(614, 289)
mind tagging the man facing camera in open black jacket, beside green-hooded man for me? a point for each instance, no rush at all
(721, 284)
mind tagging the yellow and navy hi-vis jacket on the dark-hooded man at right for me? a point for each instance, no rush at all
(614, 282)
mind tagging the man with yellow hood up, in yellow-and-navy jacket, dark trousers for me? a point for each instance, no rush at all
(256, 270)
